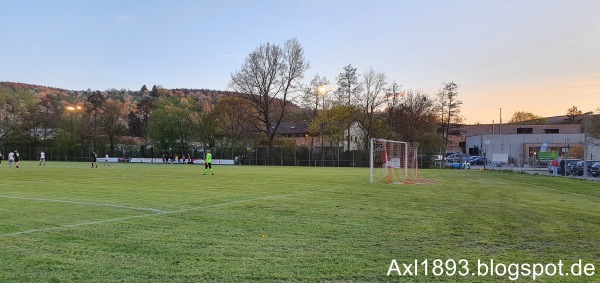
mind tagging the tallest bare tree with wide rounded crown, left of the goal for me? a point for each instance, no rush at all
(268, 78)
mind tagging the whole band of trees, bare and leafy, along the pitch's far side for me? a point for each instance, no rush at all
(265, 92)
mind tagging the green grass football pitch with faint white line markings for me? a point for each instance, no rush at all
(66, 222)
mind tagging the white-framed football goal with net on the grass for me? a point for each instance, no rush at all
(393, 162)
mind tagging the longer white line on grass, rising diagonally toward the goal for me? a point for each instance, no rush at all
(163, 213)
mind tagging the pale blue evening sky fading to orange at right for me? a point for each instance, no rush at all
(537, 56)
